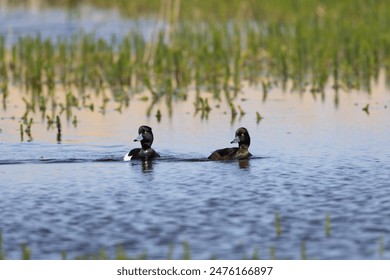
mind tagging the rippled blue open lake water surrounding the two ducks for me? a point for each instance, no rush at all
(312, 159)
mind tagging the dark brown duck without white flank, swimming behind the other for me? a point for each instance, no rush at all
(243, 140)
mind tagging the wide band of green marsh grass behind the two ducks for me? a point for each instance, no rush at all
(212, 46)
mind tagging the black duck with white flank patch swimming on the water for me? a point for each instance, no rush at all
(146, 152)
